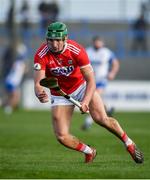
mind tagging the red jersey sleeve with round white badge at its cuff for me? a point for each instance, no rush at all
(39, 63)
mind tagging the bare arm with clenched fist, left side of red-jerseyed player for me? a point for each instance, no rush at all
(39, 90)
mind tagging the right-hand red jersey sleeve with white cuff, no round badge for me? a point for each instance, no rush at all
(83, 59)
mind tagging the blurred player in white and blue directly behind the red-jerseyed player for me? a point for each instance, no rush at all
(105, 66)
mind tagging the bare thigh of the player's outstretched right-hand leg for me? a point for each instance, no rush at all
(97, 109)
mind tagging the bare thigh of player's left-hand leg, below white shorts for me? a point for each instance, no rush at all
(61, 117)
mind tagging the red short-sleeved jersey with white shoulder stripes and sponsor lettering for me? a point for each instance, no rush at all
(64, 66)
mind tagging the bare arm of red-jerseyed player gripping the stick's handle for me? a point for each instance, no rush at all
(88, 75)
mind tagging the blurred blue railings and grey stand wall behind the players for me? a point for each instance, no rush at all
(117, 36)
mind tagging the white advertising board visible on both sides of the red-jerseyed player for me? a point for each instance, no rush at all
(122, 95)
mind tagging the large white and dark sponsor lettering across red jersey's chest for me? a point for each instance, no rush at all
(65, 71)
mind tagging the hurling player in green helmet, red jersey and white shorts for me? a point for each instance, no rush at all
(67, 61)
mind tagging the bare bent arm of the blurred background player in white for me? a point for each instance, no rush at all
(114, 69)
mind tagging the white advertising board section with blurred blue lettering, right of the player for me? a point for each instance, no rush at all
(128, 95)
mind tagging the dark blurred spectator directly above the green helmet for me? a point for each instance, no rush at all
(49, 13)
